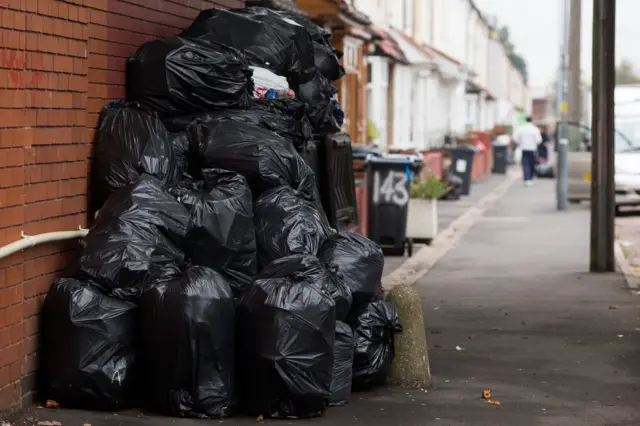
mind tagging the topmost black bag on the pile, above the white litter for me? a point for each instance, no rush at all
(266, 37)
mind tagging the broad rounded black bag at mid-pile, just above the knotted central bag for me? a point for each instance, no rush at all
(265, 159)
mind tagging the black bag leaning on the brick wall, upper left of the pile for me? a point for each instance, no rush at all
(130, 142)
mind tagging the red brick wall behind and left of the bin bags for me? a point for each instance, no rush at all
(60, 61)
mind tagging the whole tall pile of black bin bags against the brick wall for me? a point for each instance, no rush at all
(209, 283)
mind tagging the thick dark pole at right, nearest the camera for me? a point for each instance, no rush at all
(602, 136)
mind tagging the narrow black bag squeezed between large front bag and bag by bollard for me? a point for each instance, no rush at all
(343, 351)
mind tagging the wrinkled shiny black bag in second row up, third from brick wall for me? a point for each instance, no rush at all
(287, 224)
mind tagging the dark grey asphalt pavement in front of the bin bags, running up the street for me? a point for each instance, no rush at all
(510, 308)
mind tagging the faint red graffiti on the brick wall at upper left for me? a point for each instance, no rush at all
(16, 62)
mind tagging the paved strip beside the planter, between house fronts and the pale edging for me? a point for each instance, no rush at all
(449, 211)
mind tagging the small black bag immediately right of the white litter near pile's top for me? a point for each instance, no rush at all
(319, 94)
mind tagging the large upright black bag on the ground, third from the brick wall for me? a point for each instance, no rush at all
(286, 332)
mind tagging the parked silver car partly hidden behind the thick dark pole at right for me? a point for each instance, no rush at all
(627, 163)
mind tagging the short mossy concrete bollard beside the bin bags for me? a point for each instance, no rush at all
(410, 366)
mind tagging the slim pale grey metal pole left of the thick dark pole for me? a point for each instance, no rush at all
(561, 133)
